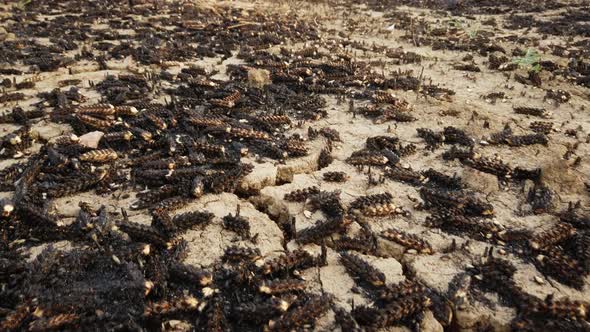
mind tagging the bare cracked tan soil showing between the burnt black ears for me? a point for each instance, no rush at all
(362, 24)
